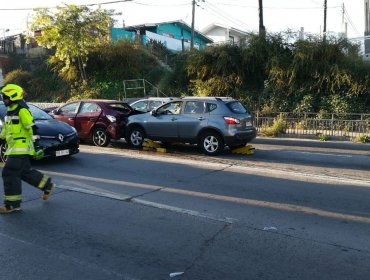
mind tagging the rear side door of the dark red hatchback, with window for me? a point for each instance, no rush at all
(87, 116)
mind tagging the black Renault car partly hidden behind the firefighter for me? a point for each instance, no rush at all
(56, 138)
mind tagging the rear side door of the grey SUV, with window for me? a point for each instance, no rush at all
(192, 120)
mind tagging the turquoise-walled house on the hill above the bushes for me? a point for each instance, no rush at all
(175, 35)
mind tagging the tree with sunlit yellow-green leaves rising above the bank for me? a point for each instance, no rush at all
(72, 32)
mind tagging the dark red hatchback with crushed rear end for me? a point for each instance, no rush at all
(96, 120)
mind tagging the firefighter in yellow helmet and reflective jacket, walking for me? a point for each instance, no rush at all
(20, 133)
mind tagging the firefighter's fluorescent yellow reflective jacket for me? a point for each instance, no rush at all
(18, 132)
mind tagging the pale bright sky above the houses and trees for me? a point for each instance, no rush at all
(279, 15)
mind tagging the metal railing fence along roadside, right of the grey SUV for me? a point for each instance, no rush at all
(344, 125)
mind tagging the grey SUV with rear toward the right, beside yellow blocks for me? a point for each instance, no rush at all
(211, 123)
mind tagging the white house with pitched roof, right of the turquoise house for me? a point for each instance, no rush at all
(220, 33)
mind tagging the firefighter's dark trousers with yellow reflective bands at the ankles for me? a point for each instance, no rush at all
(16, 169)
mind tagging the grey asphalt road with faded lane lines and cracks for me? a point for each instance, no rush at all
(296, 209)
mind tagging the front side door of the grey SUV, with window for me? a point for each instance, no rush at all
(163, 125)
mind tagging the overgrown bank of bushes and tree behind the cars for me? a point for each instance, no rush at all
(271, 73)
